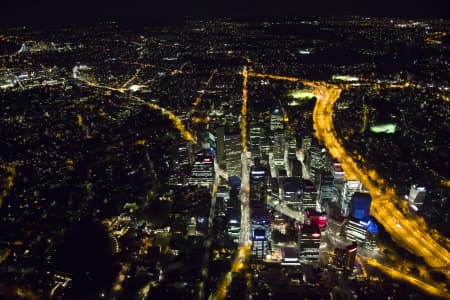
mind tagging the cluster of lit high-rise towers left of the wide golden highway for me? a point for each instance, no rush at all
(278, 173)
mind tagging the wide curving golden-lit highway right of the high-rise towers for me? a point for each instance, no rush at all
(383, 198)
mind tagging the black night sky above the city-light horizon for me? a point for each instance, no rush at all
(63, 11)
